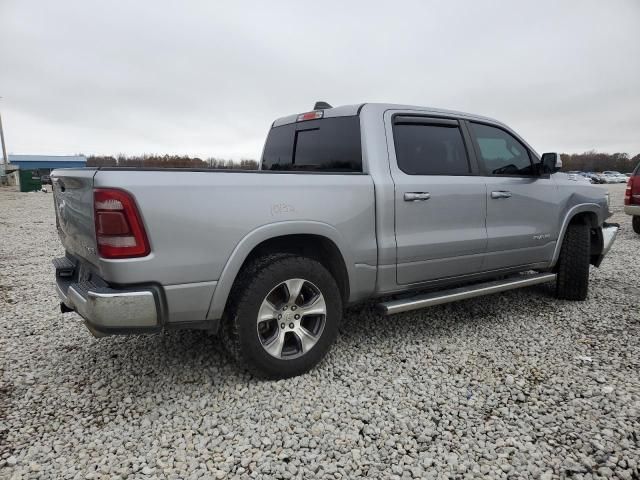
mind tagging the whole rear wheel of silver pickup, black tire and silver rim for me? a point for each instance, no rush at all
(283, 316)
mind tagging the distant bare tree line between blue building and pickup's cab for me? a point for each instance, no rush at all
(169, 161)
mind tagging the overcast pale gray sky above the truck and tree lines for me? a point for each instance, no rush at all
(207, 79)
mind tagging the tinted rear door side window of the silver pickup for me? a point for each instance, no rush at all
(430, 147)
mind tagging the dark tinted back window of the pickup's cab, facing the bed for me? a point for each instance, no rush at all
(323, 145)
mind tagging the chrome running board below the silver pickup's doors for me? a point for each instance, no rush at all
(462, 293)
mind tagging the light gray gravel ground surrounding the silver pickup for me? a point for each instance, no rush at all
(517, 385)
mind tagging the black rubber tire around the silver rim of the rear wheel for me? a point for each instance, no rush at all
(254, 284)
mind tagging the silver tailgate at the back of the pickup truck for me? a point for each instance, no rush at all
(73, 199)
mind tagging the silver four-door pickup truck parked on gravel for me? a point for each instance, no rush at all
(420, 206)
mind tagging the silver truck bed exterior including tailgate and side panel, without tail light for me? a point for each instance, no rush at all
(196, 219)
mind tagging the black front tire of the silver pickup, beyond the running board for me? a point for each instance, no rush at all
(573, 264)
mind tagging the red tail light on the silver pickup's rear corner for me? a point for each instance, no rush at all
(119, 229)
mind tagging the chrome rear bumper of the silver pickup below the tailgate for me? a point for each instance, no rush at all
(108, 310)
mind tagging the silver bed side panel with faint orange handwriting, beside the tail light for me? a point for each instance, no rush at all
(196, 219)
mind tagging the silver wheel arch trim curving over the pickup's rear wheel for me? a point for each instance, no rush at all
(314, 239)
